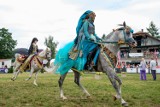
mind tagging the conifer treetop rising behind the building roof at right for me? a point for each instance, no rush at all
(153, 30)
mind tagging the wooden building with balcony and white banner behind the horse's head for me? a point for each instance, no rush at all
(147, 47)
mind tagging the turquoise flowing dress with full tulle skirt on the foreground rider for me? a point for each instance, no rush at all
(86, 41)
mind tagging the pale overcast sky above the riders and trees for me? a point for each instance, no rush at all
(26, 19)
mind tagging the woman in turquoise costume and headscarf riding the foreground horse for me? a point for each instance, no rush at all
(83, 52)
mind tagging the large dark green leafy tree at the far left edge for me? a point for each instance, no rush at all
(7, 44)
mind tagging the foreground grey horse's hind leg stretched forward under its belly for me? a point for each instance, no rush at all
(77, 81)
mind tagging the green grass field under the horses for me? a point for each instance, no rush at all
(21, 93)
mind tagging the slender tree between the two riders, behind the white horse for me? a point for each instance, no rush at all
(49, 42)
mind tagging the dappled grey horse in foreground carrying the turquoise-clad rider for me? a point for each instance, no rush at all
(107, 61)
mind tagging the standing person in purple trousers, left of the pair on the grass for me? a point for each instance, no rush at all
(143, 69)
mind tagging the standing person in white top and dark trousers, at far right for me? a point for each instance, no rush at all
(153, 68)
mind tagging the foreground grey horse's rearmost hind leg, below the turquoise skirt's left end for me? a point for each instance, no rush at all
(60, 82)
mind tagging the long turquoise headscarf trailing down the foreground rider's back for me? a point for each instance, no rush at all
(80, 22)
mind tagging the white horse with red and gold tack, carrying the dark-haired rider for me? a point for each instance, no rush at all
(36, 64)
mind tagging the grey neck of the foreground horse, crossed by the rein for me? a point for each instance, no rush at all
(113, 47)
